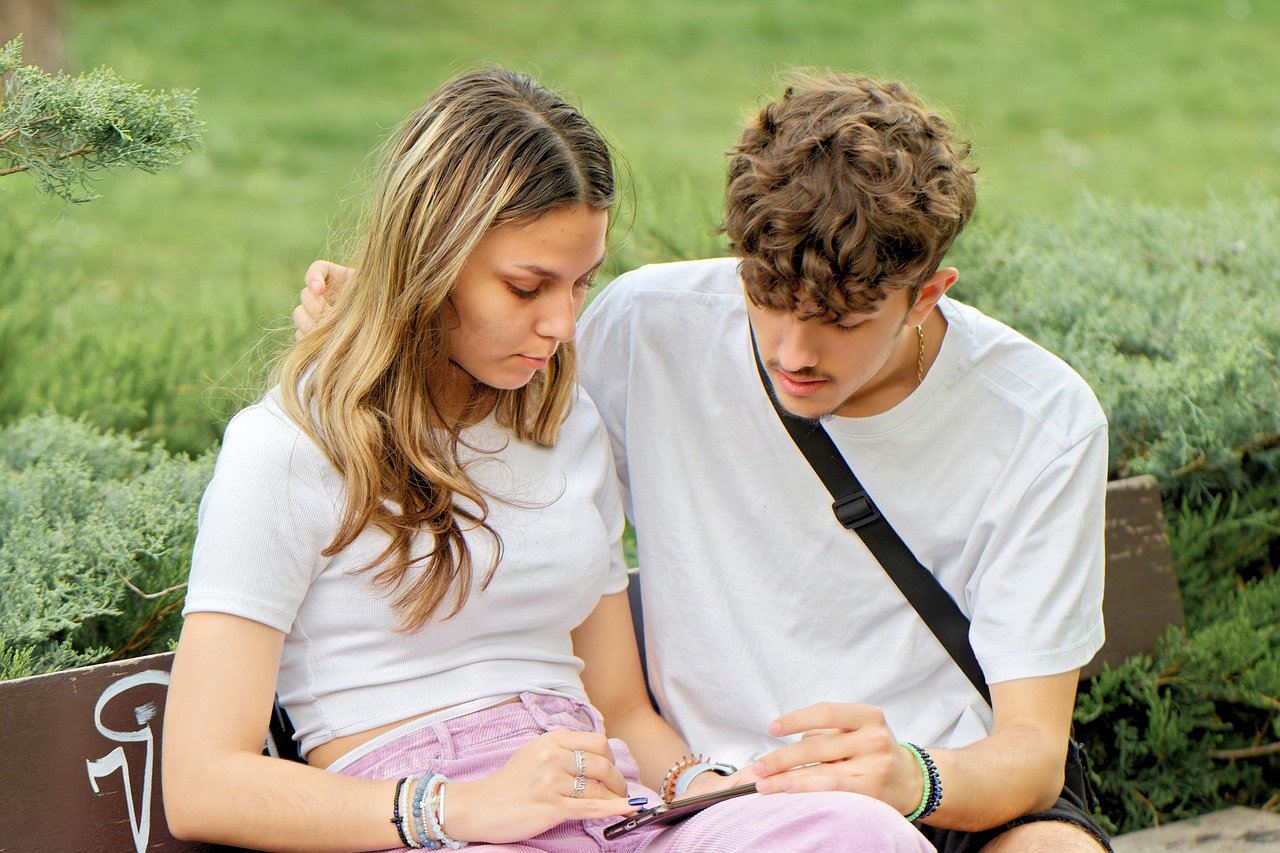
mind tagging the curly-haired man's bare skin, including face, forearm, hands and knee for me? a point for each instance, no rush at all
(868, 364)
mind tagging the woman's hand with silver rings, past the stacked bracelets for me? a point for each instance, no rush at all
(534, 791)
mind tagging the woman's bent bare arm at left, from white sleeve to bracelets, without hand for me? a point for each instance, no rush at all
(220, 787)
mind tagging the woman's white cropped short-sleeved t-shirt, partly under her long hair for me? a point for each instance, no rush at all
(273, 507)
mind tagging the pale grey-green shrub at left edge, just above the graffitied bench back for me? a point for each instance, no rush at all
(93, 527)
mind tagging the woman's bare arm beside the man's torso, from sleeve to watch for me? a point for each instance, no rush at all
(615, 683)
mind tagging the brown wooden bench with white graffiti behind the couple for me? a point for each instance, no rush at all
(83, 747)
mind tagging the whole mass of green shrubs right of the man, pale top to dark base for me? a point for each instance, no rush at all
(1174, 320)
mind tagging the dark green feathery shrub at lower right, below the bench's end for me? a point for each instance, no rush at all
(1183, 732)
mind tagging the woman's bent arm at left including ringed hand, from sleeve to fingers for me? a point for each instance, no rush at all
(218, 787)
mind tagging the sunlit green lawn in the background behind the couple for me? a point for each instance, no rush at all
(1165, 103)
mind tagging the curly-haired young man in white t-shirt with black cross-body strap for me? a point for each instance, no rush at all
(767, 621)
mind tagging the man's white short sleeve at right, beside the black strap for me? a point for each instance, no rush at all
(1037, 596)
